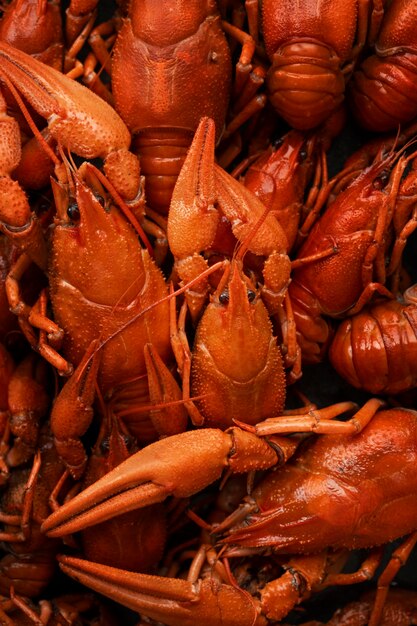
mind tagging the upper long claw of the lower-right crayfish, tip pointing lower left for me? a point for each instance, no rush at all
(164, 468)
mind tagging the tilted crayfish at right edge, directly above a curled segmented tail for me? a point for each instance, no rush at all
(366, 223)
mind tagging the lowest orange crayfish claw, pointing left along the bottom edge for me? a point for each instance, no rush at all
(175, 602)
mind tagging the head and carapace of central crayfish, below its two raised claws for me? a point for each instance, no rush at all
(237, 365)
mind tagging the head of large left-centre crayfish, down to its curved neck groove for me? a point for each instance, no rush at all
(90, 232)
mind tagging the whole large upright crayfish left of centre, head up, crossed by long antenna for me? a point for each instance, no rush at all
(123, 313)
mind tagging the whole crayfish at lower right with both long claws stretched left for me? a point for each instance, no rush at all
(325, 499)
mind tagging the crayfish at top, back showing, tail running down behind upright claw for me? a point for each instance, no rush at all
(180, 68)
